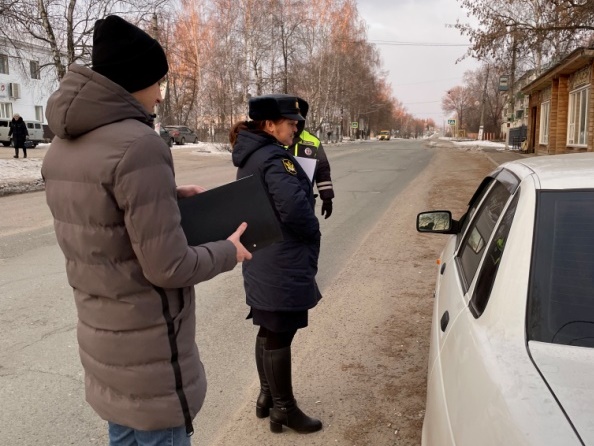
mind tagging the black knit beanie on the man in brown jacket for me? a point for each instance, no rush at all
(126, 54)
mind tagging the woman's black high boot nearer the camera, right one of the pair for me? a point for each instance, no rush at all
(277, 364)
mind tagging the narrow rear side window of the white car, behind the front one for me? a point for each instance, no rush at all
(490, 266)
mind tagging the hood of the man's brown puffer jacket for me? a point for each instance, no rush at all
(86, 100)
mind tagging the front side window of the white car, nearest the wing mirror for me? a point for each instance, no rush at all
(479, 231)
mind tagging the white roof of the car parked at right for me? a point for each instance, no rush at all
(568, 171)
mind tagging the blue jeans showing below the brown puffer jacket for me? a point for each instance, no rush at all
(125, 436)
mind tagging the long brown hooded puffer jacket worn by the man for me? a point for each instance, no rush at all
(110, 186)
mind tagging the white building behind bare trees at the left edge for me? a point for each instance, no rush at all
(27, 79)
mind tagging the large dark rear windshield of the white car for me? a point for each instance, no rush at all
(561, 296)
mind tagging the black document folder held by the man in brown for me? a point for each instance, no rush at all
(216, 213)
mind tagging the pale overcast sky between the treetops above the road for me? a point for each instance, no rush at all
(419, 75)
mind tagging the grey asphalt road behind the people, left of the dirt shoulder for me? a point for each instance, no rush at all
(41, 380)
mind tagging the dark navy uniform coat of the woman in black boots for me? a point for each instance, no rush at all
(281, 277)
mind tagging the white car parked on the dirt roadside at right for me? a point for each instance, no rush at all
(511, 360)
